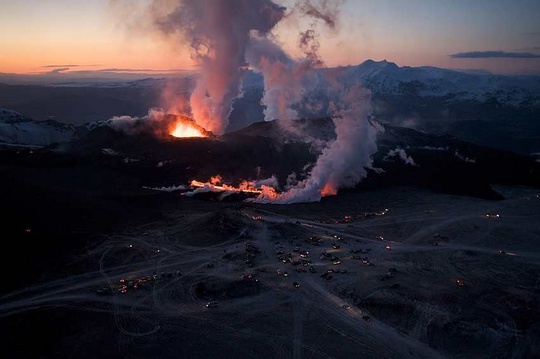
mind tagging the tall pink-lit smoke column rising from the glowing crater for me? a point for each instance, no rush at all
(218, 33)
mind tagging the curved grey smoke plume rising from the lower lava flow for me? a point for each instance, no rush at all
(342, 162)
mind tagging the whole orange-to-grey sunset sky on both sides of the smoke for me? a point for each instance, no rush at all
(502, 36)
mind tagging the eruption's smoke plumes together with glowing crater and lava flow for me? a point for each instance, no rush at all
(227, 38)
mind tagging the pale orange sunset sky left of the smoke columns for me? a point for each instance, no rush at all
(82, 34)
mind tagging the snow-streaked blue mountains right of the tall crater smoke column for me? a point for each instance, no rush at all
(491, 110)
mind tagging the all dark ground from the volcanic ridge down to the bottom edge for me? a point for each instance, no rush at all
(81, 225)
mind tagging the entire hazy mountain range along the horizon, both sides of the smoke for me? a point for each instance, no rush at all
(490, 110)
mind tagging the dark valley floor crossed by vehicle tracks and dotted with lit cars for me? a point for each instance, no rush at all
(393, 273)
